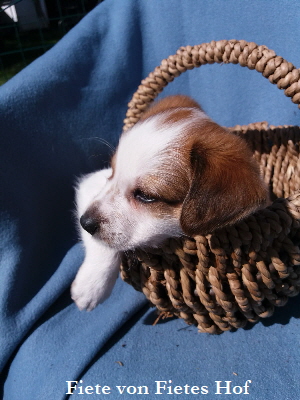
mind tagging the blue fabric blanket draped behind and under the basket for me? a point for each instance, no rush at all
(55, 119)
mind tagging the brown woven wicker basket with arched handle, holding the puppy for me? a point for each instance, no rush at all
(237, 274)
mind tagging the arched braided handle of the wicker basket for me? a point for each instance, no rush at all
(247, 54)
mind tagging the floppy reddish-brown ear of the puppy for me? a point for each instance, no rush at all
(225, 186)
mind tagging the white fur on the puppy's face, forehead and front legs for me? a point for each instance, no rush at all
(141, 151)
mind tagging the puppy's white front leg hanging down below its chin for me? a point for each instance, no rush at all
(96, 276)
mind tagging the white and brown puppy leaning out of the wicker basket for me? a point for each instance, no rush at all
(175, 173)
